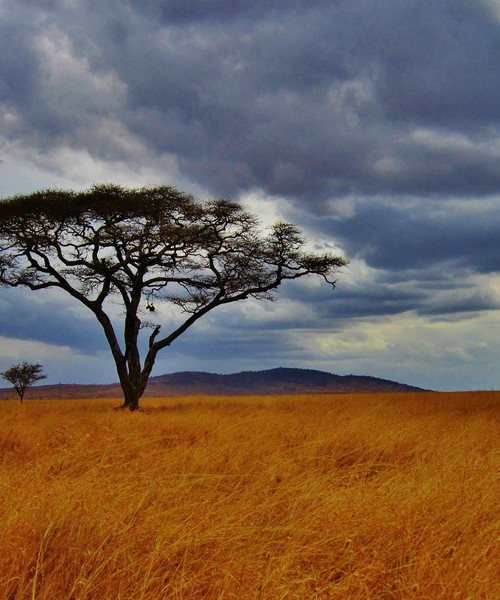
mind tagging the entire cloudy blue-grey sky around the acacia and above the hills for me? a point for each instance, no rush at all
(372, 124)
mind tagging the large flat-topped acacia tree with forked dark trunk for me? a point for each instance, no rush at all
(141, 247)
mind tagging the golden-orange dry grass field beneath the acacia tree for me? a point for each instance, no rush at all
(374, 497)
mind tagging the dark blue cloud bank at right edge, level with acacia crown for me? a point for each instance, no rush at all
(422, 234)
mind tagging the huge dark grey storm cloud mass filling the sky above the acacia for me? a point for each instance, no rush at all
(305, 99)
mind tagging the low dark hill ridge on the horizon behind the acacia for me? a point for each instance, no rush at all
(272, 381)
